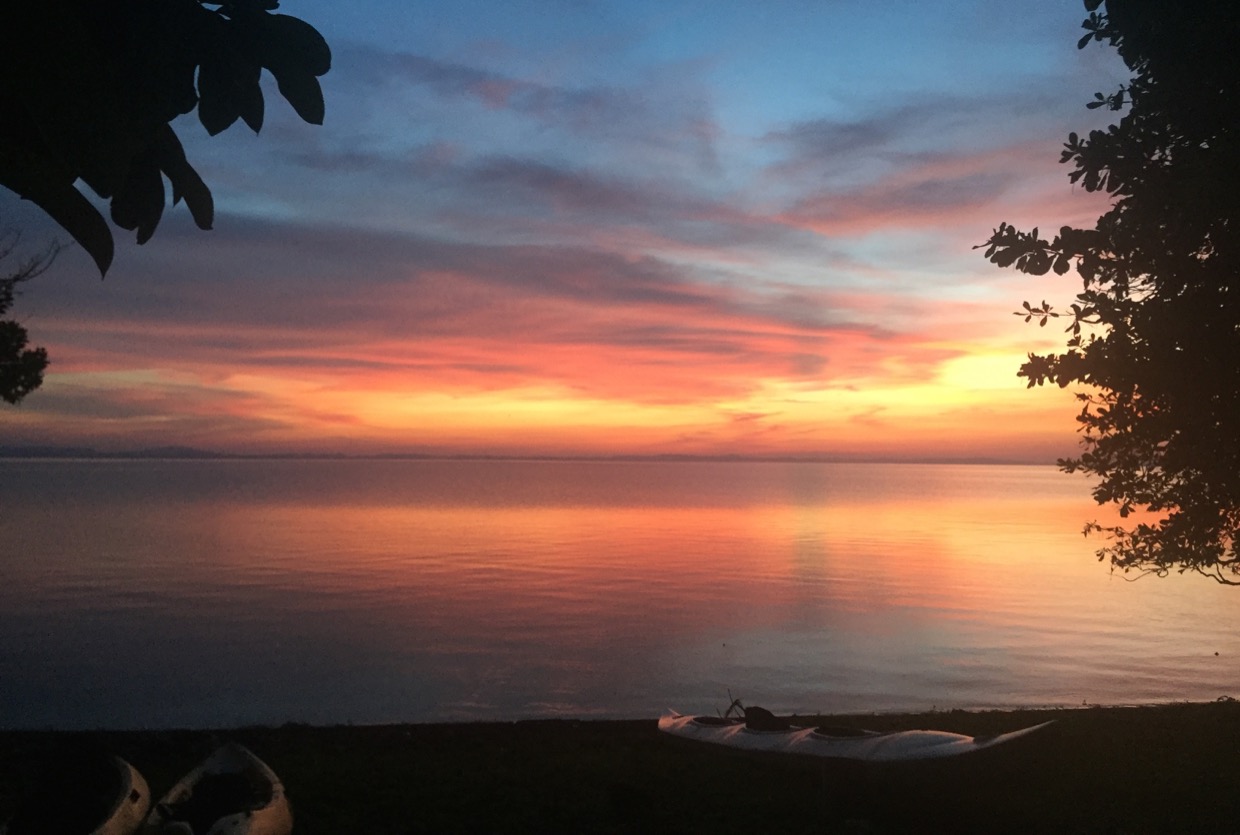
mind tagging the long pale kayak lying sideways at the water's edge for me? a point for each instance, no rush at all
(838, 744)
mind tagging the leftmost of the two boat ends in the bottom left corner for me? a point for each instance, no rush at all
(84, 796)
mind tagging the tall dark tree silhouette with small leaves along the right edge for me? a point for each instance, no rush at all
(1155, 336)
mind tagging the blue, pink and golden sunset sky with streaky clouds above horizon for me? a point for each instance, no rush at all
(573, 228)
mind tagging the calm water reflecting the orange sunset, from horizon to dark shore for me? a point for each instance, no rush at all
(208, 594)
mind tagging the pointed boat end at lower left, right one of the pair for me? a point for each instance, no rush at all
(232, 792)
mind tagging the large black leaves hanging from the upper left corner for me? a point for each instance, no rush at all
(89, 89)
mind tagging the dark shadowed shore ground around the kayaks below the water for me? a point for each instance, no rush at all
(1148, 770)
